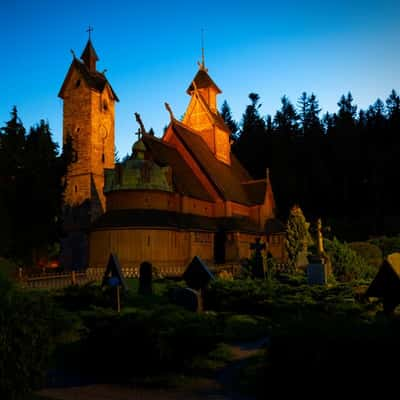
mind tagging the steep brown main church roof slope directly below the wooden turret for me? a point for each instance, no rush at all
(229, 180)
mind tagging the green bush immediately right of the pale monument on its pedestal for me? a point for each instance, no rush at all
(347, 265)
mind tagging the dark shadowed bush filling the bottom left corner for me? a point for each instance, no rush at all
(25, 340)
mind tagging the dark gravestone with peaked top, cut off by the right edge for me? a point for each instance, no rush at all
(386, 284)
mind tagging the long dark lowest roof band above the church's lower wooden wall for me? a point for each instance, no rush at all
(170, 219)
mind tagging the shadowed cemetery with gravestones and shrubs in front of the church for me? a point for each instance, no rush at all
(153, 331)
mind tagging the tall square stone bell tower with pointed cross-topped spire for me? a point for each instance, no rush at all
(88, 120)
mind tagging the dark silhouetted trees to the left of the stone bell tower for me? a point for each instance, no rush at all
(31, 190)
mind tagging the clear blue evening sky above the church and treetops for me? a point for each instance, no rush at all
(150, 50)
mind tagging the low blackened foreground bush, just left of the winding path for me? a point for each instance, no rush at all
(147, 342)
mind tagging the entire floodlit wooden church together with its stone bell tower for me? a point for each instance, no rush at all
(178, 196)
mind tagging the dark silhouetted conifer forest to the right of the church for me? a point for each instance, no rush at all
(340, 166)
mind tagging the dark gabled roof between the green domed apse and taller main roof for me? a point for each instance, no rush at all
(185, 181)
